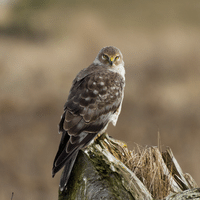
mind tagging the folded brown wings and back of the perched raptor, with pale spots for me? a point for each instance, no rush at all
(93, 99)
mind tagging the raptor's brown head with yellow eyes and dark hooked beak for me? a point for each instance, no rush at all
(109, 56)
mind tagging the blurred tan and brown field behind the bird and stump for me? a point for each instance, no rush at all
(44, 44)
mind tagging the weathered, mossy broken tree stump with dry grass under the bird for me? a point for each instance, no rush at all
(106, 169)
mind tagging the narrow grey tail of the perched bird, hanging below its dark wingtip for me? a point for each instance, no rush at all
(67, 170)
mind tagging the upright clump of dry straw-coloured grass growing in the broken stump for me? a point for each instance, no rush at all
(147, 164)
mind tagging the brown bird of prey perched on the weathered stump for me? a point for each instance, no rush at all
(94, 100)
